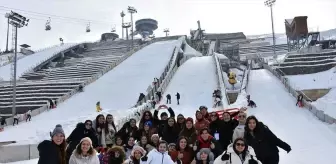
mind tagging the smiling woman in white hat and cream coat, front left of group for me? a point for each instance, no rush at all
(84, 153)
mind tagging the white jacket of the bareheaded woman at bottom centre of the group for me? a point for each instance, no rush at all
(155, 157)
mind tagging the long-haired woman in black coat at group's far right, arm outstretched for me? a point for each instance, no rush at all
(263, 141)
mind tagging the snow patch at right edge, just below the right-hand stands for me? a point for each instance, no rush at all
(321, 80)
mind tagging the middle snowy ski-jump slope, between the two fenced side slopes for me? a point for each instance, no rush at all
(195, 80)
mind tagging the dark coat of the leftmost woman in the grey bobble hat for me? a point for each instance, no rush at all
(48, 152)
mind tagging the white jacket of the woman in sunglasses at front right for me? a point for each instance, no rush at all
(234, 158)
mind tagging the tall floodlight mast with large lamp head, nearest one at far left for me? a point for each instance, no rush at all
(17, 21)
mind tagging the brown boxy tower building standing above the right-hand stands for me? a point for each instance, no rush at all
(298, 35)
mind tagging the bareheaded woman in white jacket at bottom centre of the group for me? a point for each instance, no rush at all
(158, 156)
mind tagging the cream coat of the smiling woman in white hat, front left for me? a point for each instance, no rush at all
(79, 159)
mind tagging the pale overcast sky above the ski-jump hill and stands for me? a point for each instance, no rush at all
(216, 16)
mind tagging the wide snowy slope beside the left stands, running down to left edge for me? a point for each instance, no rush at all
(117, 90)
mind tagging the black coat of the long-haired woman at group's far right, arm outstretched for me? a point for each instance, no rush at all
(265, 143)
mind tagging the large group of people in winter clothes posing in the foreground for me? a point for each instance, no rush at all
(166, 140)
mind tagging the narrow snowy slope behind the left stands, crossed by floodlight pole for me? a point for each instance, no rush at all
(30, 61)
